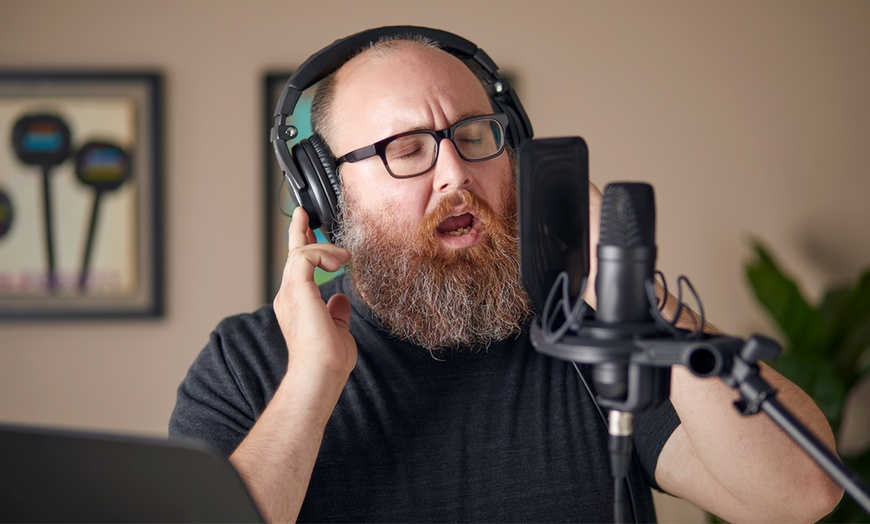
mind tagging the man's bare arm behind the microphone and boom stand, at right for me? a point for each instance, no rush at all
(739, 468)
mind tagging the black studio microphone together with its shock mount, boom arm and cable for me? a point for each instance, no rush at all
(631, 348)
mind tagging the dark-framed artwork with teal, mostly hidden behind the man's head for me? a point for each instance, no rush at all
(278, 204)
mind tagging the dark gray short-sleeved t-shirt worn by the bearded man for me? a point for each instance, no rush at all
(503, 434)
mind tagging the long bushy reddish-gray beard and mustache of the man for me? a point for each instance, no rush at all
(440, 298)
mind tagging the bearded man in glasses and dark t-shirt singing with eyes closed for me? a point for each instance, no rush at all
(409, 390)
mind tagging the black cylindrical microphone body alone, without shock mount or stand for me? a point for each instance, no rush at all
(626, 262)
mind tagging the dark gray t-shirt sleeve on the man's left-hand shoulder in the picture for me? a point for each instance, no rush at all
(231, 381)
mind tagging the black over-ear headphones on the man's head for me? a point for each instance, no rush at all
(309, 168)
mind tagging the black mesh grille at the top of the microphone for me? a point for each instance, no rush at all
(628, 215)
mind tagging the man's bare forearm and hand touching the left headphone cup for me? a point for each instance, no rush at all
(277, 457)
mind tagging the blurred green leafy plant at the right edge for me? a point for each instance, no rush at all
(826, 348)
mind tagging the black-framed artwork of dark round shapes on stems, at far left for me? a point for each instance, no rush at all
(80, 194)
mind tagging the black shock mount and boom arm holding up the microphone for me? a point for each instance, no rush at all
(648, 360)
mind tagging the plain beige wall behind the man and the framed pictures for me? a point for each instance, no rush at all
(750, 118)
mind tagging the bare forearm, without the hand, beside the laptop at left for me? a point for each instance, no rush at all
(277, 457)
